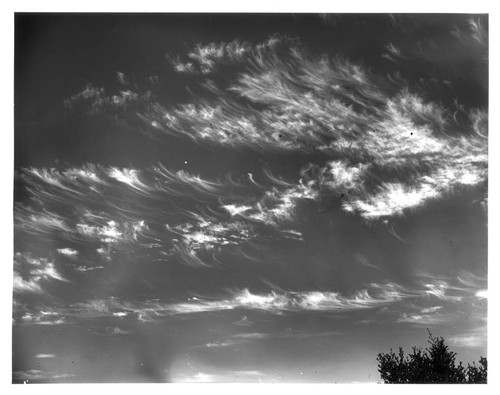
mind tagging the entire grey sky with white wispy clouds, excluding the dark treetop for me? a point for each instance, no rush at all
(247, 198)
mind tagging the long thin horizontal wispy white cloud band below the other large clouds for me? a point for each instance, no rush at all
(274, 302)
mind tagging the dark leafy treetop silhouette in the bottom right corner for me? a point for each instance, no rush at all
(435, 364)
